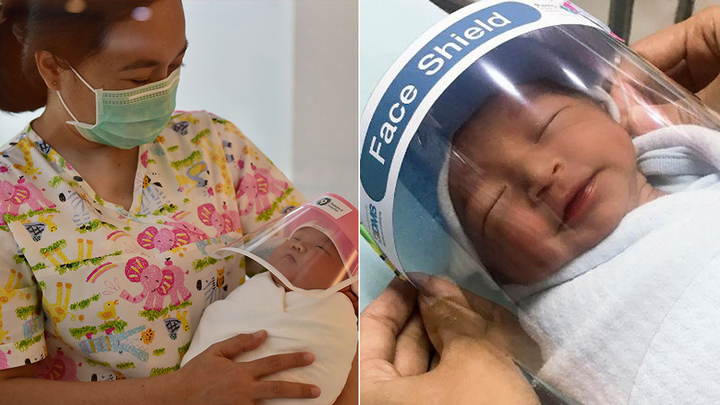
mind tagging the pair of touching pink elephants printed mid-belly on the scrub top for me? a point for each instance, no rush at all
(157, 283)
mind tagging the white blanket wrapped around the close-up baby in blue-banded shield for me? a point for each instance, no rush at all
(637, 318)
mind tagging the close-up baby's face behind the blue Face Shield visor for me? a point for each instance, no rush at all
(543, 181)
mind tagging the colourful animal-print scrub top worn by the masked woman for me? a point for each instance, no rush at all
(102, 293)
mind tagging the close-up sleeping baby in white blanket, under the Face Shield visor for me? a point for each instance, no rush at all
(609, 246)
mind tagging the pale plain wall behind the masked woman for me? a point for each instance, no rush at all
(285, 72)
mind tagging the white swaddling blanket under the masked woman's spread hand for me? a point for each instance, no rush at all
(294, 323)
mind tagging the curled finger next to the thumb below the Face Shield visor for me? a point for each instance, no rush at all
(412, 350)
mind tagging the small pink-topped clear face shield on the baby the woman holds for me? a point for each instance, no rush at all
(312, 250)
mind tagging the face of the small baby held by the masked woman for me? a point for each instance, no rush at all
(309, 260)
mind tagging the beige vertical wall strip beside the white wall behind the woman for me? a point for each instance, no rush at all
(325, 106)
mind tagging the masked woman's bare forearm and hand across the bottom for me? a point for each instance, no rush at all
(212, 377)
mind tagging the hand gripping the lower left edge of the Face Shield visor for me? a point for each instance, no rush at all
(395, 353)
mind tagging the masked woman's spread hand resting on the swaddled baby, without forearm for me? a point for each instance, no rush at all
(213, 377)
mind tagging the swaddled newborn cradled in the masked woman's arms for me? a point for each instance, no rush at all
(326, 327)
